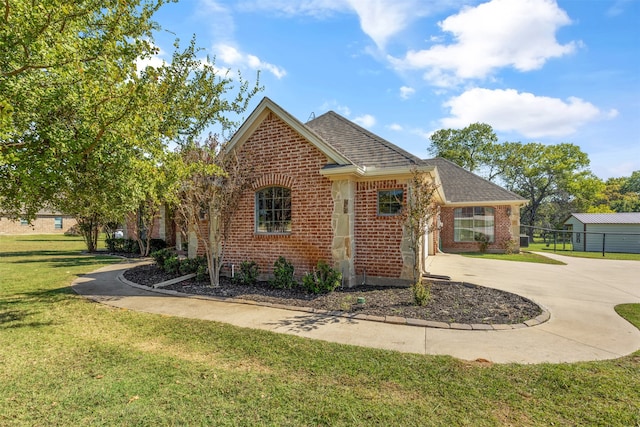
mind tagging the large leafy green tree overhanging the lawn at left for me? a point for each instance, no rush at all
(77, 99)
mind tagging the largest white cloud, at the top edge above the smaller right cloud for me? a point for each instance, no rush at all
(493, 35)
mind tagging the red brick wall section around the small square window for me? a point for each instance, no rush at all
(378, 238)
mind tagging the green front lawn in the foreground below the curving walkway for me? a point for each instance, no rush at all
(67, 361)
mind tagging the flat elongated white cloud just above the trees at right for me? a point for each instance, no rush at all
(530, 115)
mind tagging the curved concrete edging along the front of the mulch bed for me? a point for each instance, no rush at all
(541, 318)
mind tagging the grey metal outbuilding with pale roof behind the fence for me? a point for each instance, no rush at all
(611, 232)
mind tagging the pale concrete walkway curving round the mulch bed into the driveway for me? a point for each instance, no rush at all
(580, 297)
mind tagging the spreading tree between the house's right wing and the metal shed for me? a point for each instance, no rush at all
(544, 173)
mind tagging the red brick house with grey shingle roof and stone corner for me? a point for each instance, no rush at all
(331, 190)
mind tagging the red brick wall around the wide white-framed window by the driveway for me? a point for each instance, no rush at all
(502, 231)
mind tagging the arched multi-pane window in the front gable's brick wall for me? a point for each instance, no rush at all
(273, 210)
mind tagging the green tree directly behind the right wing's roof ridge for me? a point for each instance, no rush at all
(473, 148)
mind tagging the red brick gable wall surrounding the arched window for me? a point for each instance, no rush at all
(282, 157)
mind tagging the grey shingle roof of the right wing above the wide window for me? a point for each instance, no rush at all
(462, 186)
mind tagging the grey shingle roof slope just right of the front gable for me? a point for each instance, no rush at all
(363, 148)
